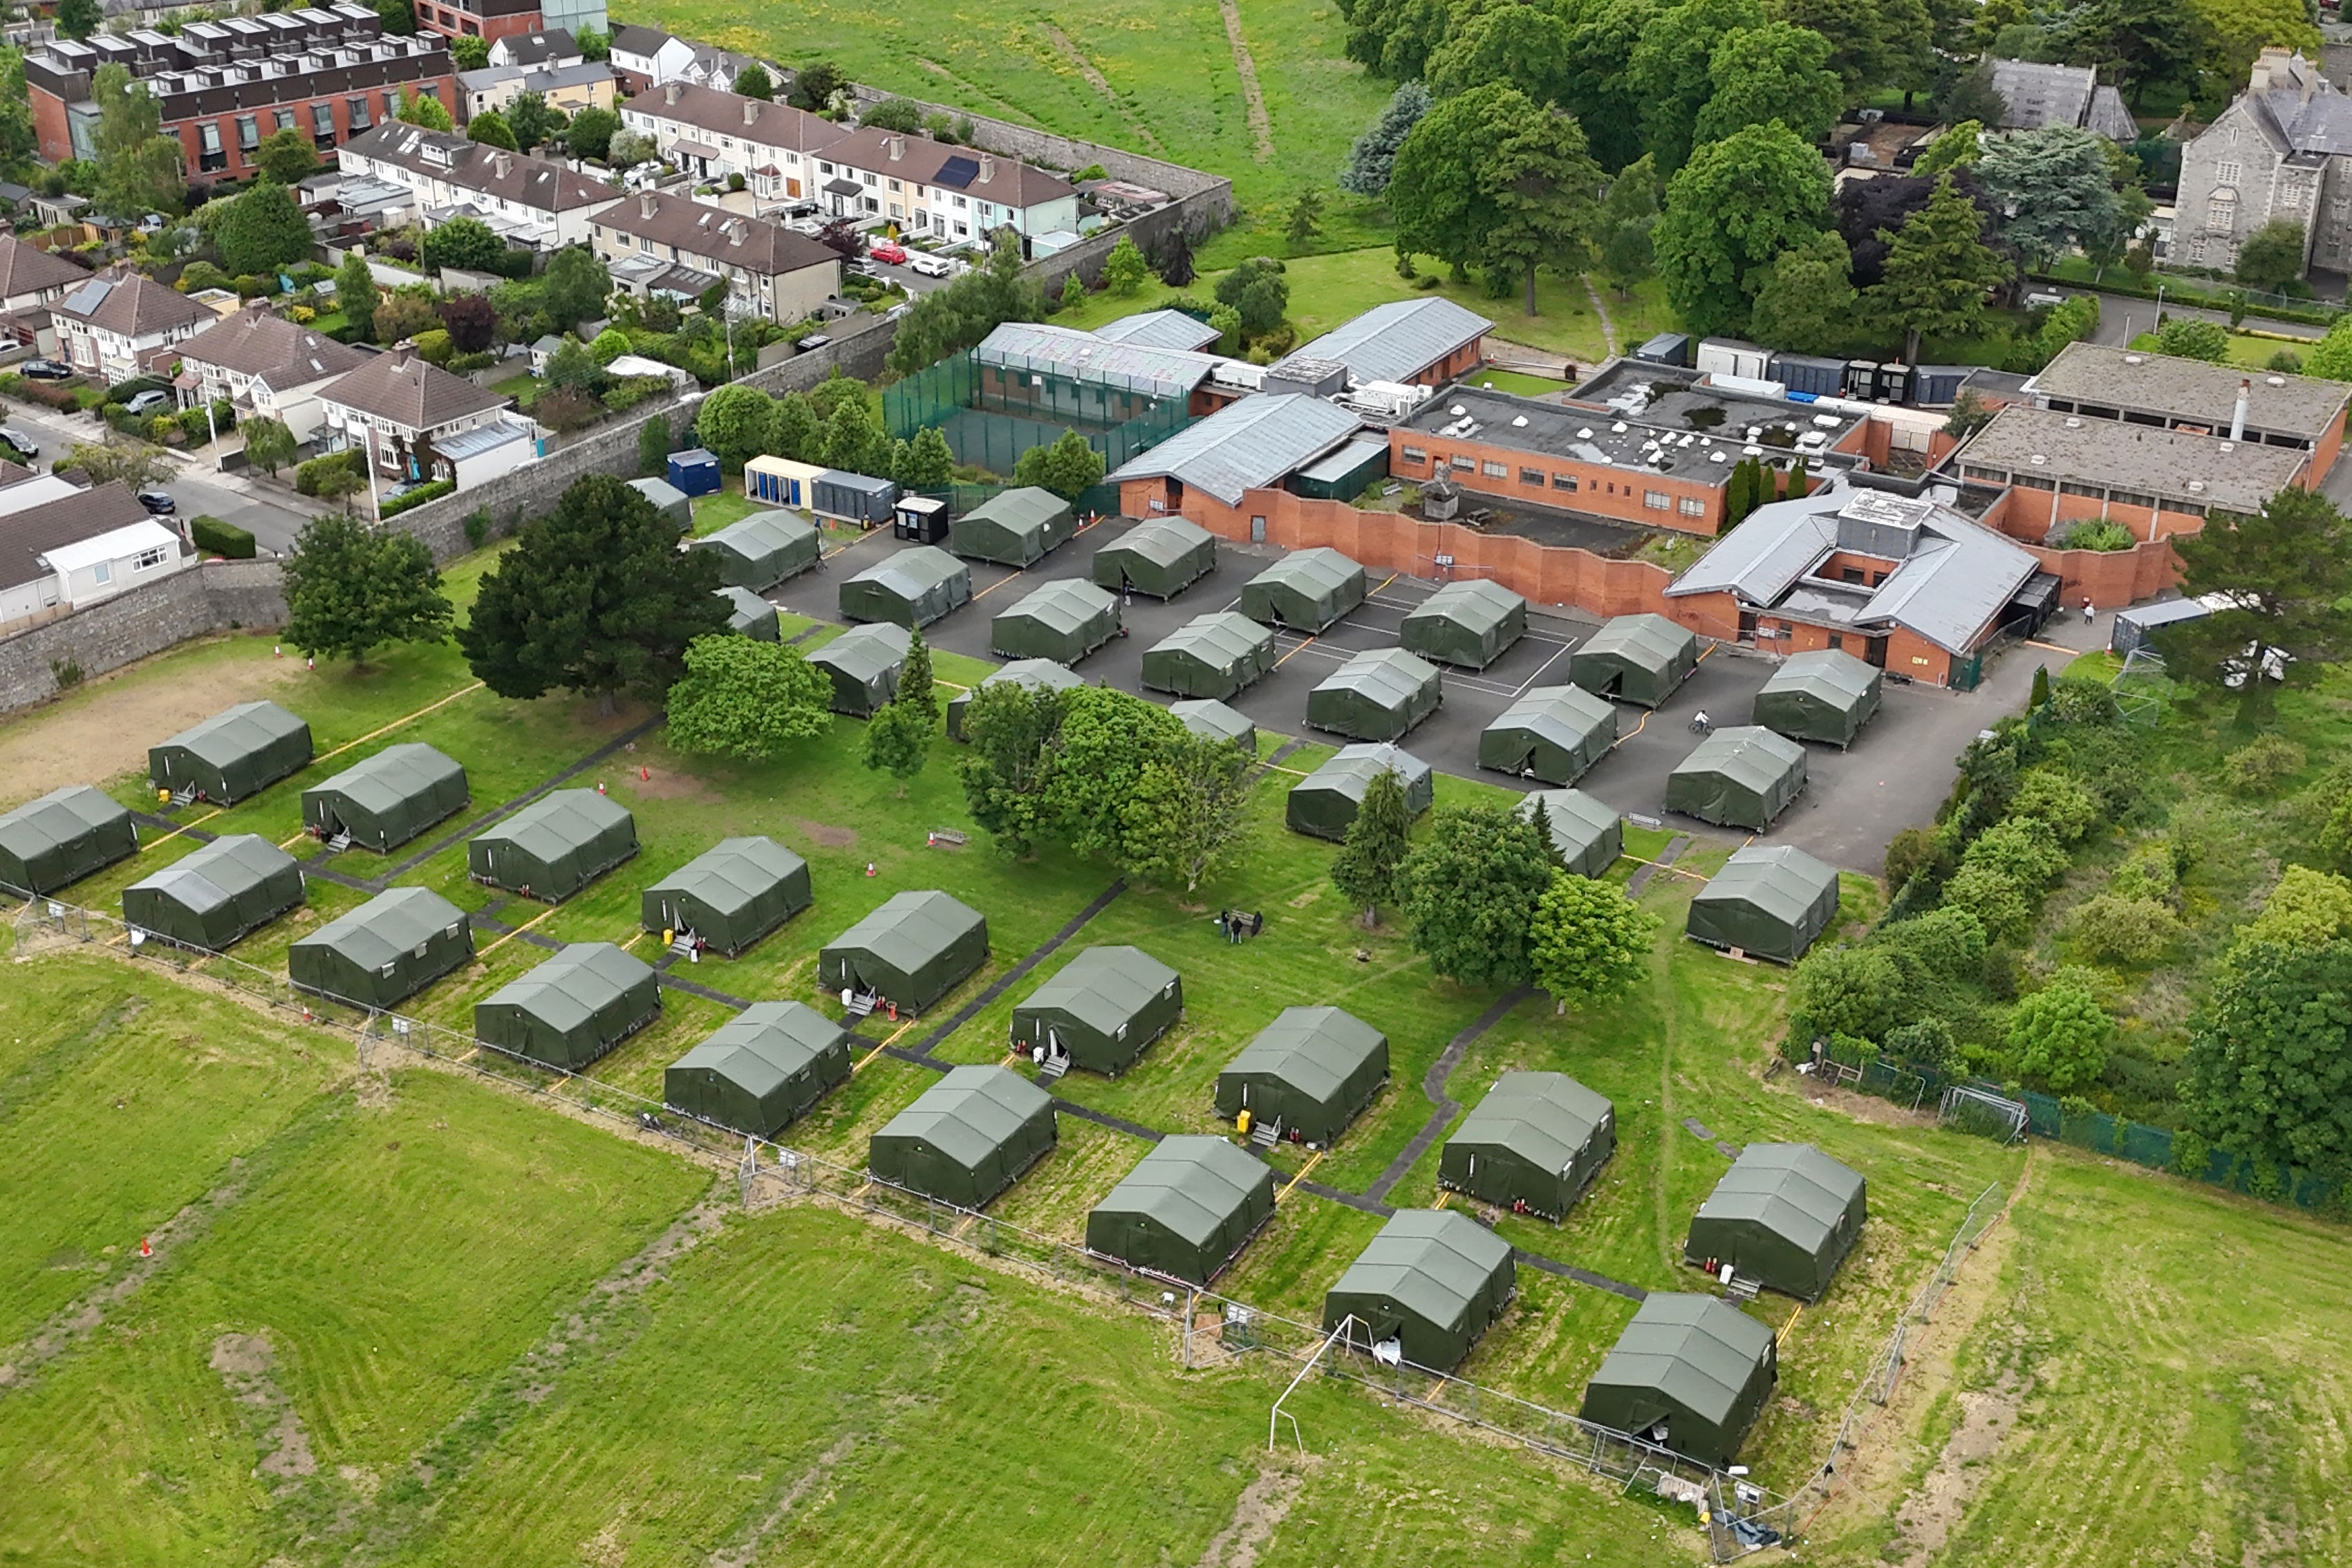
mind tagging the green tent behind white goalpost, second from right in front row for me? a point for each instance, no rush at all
(1434, 1280)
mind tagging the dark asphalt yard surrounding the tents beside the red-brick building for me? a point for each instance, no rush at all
(1852, 805)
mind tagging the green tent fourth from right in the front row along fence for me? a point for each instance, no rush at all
(965, 1139)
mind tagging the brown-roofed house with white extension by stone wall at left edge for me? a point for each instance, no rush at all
(74, 549)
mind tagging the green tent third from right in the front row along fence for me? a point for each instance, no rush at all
(1187, 1209)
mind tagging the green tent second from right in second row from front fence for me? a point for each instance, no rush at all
(1532, 1146)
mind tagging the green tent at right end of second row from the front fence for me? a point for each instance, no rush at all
(1786, 1217)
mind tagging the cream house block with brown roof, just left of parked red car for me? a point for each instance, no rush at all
(660, 243)
